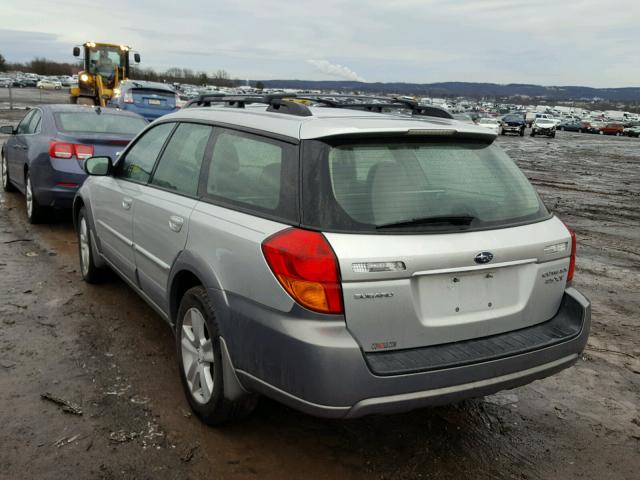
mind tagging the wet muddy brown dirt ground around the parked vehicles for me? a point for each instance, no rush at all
(104, 350)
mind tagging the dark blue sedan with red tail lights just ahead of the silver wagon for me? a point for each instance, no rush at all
(44, 155)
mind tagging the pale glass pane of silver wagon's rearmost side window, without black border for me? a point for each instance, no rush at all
(246, 169)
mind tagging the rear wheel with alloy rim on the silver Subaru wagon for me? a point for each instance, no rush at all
(200, 358)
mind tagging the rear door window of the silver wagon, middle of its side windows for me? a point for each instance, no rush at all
(179, 166)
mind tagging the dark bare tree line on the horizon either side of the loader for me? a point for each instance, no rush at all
(43, 66)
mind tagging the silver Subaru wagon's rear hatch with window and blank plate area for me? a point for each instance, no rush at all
(438, 240)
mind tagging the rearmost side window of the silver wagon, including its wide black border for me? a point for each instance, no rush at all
(253, 173)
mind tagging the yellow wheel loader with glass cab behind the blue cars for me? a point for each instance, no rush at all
(105, 66)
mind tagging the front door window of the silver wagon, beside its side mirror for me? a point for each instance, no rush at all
(140, 159)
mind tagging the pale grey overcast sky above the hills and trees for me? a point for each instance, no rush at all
(549, 42)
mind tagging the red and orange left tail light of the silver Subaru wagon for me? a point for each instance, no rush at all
(306, 266)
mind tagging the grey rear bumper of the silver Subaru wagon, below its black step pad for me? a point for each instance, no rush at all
(317, 367)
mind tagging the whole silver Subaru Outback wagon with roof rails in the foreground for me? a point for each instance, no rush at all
(342, 258)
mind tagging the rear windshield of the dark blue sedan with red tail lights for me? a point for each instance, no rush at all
(99, 123)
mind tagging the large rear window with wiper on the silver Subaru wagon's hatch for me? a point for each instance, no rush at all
(371, 186)
